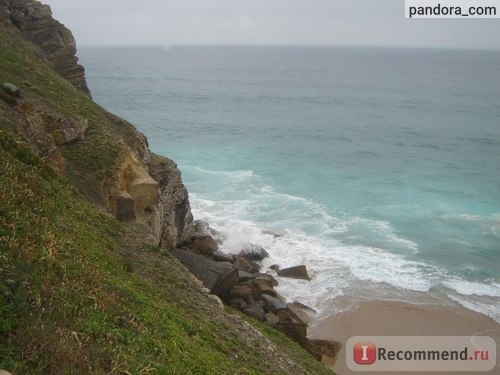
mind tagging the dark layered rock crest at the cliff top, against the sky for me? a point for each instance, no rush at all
(34, 20)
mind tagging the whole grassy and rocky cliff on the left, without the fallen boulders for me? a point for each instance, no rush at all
(87, 214)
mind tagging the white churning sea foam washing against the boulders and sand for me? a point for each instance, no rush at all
(295, 230)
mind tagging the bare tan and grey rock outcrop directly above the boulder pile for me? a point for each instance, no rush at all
(148, 190)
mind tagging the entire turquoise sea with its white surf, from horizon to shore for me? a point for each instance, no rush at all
(378, 168)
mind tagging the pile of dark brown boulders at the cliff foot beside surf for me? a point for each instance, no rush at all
(239, 282)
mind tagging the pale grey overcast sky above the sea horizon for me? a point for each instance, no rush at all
(266, 22)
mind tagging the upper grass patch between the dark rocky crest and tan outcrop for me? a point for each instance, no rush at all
(106, 135)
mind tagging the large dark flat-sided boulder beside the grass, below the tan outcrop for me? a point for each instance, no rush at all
(218, 277)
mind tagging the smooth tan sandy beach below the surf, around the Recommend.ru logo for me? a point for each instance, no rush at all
(381, 318)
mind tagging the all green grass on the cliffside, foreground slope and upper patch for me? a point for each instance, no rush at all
(78, 290)
